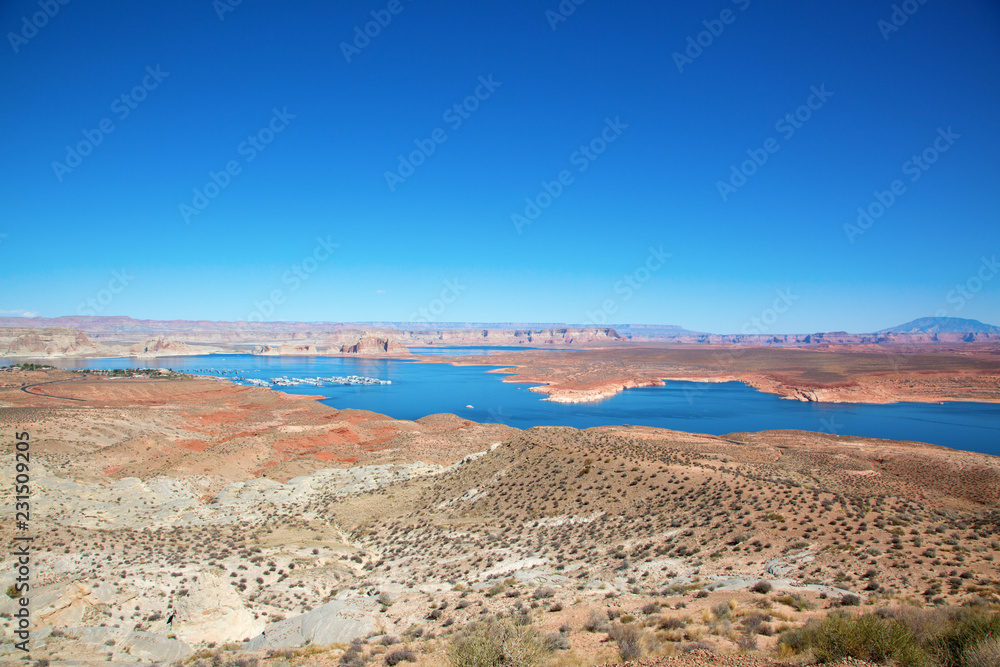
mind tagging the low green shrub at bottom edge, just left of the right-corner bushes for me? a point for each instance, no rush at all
(866, 637)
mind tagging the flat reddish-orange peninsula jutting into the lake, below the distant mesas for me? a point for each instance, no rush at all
(856, 374)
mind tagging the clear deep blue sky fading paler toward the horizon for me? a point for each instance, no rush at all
(656, 184)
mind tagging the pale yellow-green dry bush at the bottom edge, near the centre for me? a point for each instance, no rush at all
(497, 642)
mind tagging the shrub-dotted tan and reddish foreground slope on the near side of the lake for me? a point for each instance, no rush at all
(274, 530)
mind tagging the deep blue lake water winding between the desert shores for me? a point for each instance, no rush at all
(421, 389)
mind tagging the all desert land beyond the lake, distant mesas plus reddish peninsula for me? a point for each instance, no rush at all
(573, 364)
